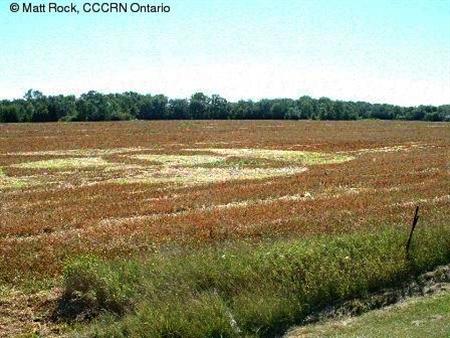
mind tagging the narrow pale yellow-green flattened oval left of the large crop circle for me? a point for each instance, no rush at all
(64, 163)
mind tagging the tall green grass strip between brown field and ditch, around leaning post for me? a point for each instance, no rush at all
(242, 291)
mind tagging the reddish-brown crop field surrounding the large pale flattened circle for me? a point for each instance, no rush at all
(55, 210)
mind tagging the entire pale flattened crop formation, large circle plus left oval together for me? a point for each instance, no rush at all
(185, 169)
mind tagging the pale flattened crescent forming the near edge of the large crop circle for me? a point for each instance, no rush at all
(195, 176)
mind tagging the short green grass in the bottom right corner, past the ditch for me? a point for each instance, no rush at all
(416, 318)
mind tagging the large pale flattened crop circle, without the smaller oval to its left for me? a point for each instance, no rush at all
(199, 169)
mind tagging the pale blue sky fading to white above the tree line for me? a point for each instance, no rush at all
(378, 51)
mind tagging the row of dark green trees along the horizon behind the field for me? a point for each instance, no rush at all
(94, 106)
